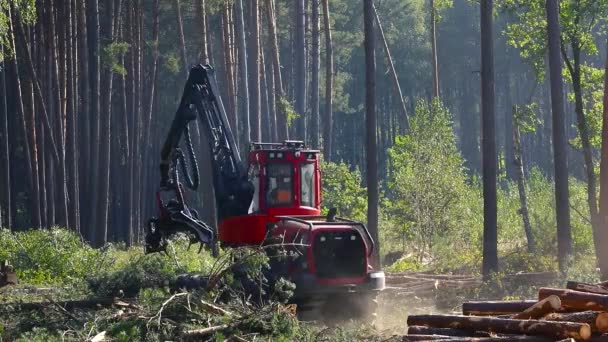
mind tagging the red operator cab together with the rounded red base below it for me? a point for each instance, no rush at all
(287, 182)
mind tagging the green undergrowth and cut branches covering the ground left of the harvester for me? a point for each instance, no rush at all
(55, 265)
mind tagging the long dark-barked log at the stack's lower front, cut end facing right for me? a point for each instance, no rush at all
(504, 326)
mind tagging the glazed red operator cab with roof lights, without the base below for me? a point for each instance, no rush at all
(286, 179)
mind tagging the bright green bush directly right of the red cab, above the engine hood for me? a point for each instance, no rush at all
(342, 190)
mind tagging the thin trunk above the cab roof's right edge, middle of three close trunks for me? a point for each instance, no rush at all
(314, 88)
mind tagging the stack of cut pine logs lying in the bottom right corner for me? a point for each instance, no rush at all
(579, 312)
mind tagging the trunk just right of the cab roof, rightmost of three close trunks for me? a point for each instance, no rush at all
(329, 81)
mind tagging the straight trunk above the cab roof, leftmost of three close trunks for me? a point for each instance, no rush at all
(300, 68)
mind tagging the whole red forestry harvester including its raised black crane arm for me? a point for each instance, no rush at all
(276, 195)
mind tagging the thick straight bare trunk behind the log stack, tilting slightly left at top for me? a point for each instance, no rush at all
(562, 207)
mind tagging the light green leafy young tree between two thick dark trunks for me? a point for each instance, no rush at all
(429, 181)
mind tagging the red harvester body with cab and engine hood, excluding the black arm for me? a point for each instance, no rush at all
(338, 250)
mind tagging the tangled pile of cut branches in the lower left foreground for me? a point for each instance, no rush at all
(234, 300)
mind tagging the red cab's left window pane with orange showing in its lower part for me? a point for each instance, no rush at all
(279, 184)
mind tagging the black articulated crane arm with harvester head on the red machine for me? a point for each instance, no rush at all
(233, 191)
